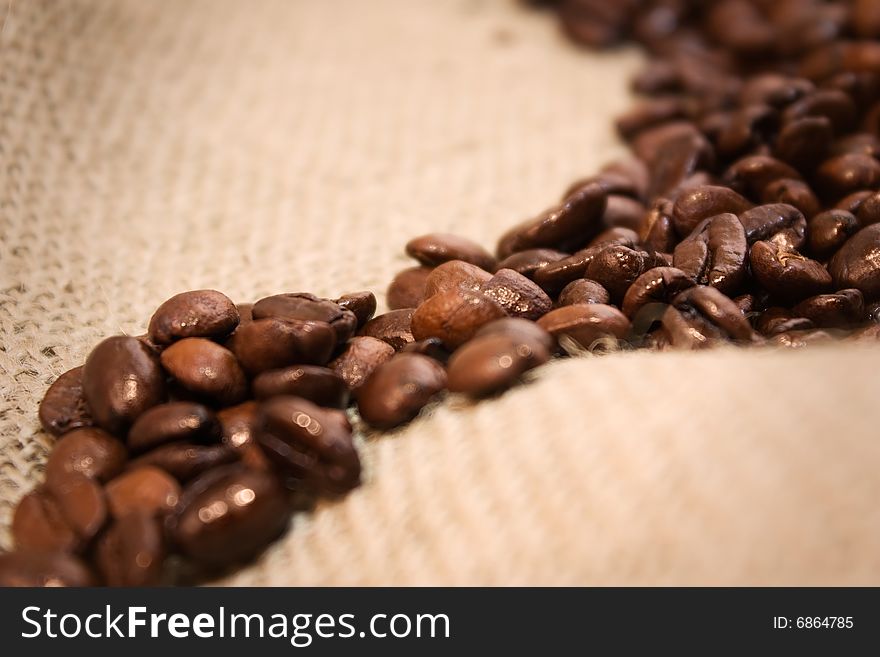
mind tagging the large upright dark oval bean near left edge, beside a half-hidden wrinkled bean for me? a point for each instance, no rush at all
(122, 379)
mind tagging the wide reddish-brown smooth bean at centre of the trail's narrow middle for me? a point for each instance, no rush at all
(454, 316)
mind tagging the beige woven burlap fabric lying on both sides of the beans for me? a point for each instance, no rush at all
(258, 146)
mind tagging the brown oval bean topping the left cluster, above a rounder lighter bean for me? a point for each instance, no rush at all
(196, 314)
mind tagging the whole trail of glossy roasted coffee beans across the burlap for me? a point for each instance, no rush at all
(748, 214)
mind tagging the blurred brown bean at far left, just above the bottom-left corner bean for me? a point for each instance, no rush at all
(38, 525)
